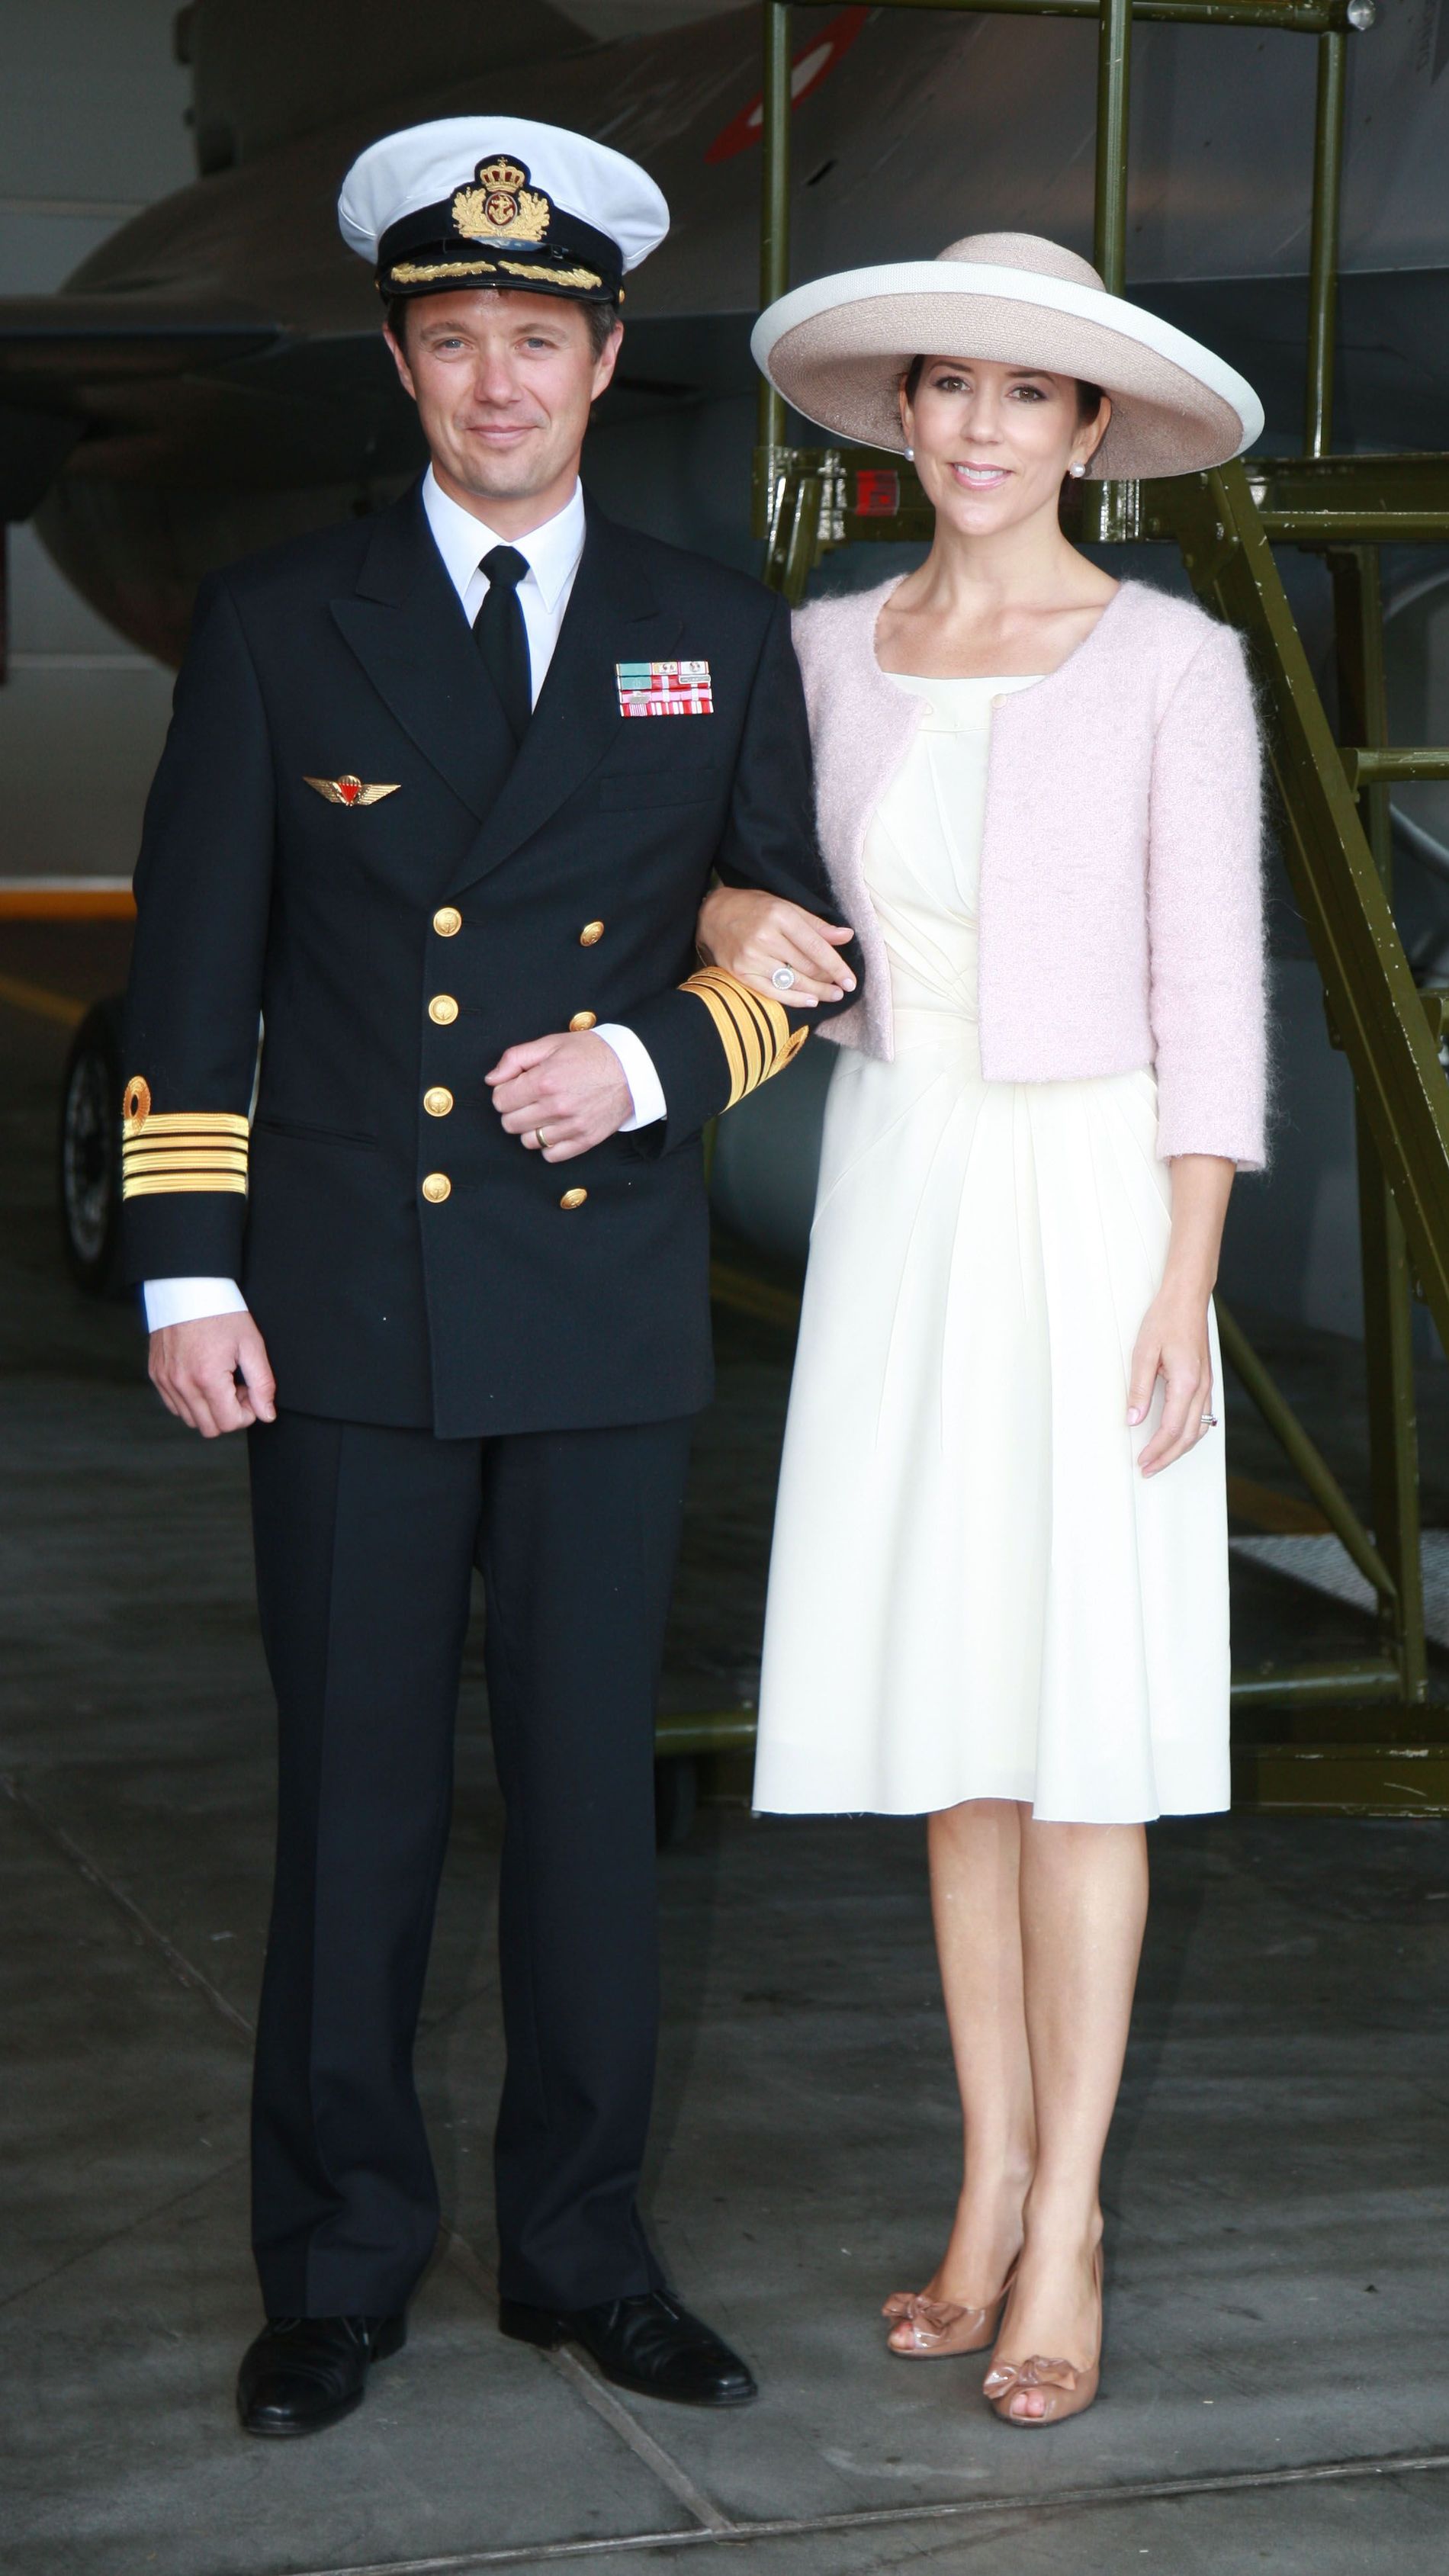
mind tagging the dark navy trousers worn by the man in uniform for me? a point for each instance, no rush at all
(365, 1542)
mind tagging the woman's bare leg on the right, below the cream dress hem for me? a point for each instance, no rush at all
(1084, 1905)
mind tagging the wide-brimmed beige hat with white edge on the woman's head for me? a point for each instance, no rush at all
(839, 349)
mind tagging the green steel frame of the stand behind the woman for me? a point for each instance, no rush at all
(1350, 1738)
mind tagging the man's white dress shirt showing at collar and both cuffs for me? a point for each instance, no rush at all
(545, 591)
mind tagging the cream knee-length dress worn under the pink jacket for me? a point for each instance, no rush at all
(973, 1591)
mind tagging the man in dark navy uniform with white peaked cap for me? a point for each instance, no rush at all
(437, 810)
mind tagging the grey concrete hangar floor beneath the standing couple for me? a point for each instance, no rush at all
(1278, 2379)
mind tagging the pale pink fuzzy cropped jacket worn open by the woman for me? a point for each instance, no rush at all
(1120, 887)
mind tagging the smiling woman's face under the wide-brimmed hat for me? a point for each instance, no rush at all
(994, 442)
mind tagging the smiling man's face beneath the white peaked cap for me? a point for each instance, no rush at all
(504, 385)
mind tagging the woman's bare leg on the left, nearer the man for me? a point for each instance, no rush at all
(976, 1859)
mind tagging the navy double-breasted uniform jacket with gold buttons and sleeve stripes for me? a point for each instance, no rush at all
(404, 1256)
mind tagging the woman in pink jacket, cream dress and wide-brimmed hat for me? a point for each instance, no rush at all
(1004, 1490)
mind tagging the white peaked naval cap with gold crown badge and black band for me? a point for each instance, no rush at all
(499, 200)
